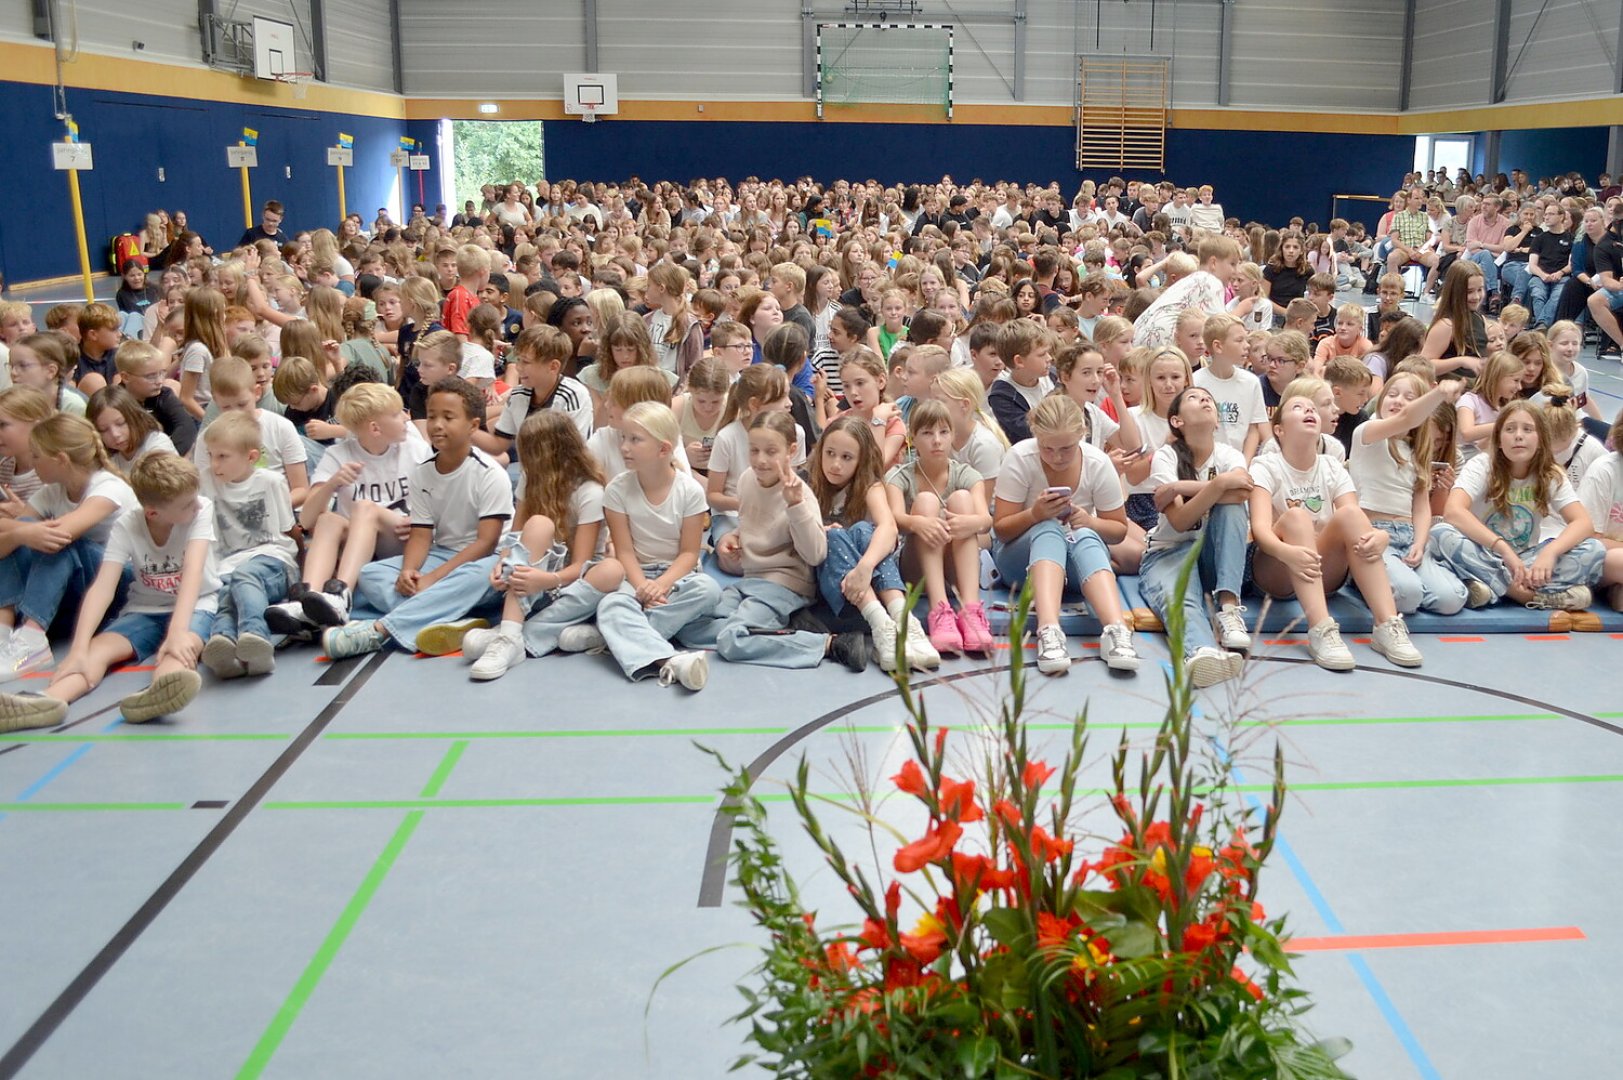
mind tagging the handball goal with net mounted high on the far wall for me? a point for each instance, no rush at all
(884, 64)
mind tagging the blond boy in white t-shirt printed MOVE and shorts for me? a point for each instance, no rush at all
(356, 509)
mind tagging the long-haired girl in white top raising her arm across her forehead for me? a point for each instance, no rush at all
(1393, 457)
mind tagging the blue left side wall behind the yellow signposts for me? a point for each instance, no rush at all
(136, 136)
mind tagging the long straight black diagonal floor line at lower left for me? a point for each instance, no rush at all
(121, 943)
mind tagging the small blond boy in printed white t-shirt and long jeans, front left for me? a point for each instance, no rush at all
(254, 521)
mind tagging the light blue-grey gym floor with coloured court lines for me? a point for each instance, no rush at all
(381, 870)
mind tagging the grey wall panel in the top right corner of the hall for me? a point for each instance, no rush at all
(1570, 51)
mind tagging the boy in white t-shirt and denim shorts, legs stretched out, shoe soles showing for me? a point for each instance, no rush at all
(170, 608)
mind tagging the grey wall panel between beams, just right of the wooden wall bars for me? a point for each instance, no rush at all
(1345, 56)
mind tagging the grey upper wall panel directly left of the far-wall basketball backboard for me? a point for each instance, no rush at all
(491, 48)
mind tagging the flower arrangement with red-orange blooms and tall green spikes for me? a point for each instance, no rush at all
(1030, 959)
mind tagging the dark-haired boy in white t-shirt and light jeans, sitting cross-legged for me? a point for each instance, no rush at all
(460, 504)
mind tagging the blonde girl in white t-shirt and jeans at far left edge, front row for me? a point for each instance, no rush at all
(50, 561)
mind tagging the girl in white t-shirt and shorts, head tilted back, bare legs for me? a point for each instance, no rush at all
(1311, 534)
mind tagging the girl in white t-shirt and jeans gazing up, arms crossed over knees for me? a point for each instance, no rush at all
(1202, 488)
